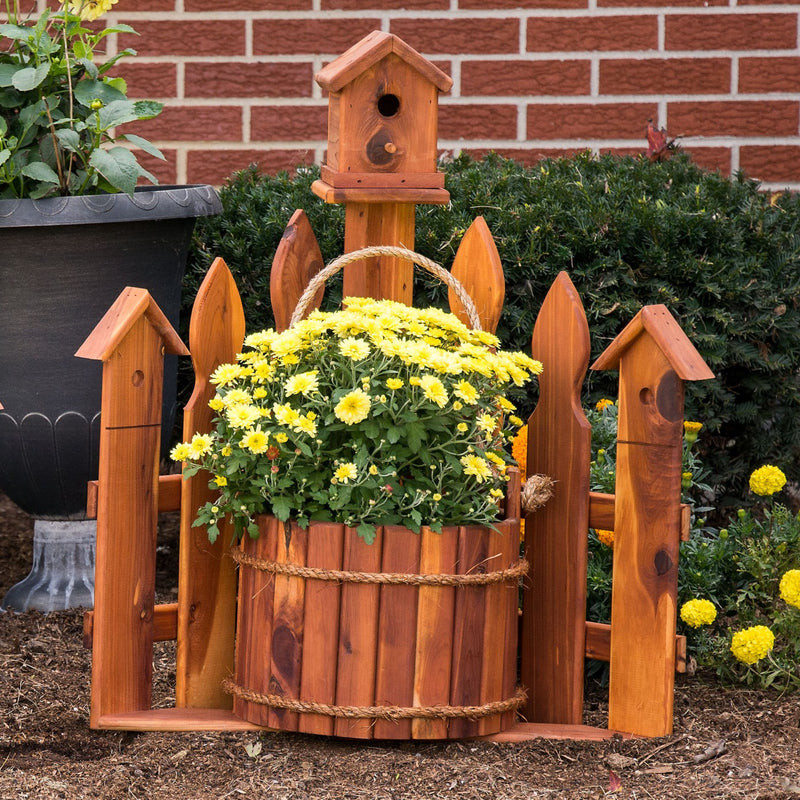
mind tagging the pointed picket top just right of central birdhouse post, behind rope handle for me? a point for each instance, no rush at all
(478, 268)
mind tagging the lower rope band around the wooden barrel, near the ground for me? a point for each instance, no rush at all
(377, 712)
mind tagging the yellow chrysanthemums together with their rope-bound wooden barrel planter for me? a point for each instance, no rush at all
(364, 441)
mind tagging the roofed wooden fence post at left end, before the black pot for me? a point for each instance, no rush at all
(130, 340)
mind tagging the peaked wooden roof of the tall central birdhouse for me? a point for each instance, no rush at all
(368, 52)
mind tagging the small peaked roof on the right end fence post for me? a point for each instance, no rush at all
(661, 326)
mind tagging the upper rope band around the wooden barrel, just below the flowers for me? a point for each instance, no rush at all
(409, 579)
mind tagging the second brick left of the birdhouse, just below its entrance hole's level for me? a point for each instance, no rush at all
(193, 124)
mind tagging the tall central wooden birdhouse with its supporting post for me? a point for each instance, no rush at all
(382, 153)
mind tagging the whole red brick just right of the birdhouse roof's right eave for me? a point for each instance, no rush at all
(504, 78)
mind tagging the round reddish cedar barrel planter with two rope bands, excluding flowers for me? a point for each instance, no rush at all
(411, 637)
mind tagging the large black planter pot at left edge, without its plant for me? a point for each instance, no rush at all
(63, 262)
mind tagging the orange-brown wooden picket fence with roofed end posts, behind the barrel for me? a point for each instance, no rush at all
(654, 359)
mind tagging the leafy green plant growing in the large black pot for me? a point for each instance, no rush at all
(60, 110)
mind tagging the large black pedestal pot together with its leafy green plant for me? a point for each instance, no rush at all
(74, 231)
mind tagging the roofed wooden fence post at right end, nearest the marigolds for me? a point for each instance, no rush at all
(654, 358)
